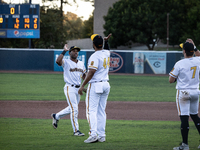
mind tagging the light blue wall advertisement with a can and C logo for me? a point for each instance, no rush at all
(155, 60)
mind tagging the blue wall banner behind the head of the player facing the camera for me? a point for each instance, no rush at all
(81, 57)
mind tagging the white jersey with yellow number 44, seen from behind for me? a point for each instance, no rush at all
(100, 61)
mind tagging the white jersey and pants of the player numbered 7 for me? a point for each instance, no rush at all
(187, 73)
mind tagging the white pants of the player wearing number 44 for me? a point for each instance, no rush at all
(96, 100)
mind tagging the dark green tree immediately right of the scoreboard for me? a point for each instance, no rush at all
(51, 33)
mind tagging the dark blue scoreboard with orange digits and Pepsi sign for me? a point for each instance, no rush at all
(19, 21)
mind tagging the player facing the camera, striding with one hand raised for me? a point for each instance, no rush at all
(73, 71)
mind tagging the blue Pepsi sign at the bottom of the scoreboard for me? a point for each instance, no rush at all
(23, 34)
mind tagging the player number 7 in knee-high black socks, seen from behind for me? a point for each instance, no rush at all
(186, 73)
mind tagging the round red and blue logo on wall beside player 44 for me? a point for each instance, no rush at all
(116, 62)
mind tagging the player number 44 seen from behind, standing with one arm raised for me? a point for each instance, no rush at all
(97, 90)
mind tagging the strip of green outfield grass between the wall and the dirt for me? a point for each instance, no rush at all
(17, 86)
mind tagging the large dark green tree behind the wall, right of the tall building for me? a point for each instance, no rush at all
(145, 21)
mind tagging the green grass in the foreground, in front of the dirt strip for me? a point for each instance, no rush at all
(38, 134)
